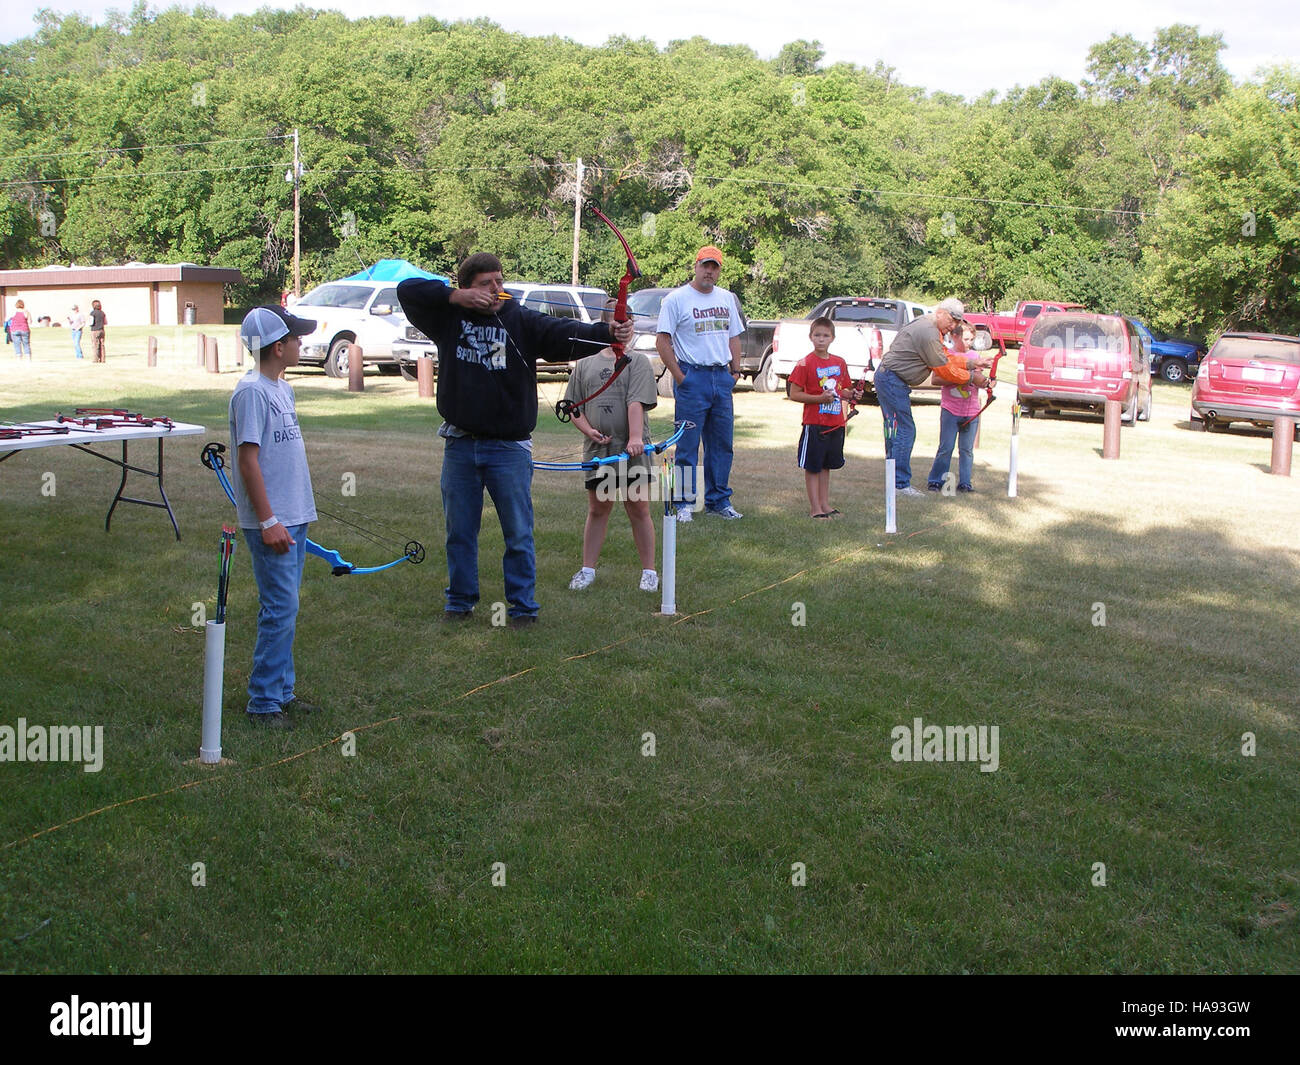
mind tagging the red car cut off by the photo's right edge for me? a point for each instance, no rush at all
(1247, 378)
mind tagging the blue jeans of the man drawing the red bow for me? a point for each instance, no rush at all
(505, 467)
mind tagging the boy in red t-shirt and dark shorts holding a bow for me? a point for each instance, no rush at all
(821, 382)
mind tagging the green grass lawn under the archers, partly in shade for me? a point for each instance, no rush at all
(772, 700)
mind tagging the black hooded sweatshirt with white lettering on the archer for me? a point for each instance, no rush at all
(488, 363)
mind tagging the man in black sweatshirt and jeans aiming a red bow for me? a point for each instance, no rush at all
(488, 353)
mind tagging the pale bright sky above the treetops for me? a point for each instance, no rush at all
(965, 49)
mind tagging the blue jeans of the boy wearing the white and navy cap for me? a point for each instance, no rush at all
(271, 685)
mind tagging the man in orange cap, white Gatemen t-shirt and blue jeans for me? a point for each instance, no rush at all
(700, 327)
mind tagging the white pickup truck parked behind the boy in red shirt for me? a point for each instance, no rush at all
(865, 327)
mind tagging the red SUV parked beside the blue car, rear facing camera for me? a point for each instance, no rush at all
(1076, 361)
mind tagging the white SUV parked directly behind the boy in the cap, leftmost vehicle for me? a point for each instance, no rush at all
(361, 313)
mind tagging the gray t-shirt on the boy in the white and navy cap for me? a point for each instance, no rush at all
(263, 413)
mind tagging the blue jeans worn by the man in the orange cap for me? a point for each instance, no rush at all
(705, 399)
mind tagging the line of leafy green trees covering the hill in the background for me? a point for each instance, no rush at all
(1155, 187)
